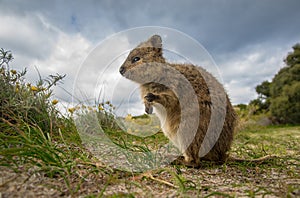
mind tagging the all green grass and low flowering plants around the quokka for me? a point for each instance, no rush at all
(42, 154)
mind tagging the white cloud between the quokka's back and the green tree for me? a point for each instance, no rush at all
(243, 71)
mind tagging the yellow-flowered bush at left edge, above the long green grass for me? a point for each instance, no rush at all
(22, 102)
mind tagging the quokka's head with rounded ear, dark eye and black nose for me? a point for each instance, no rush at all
(145, 53)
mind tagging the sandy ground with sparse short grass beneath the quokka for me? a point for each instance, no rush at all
(276, 176)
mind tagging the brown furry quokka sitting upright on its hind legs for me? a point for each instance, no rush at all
(146, 65)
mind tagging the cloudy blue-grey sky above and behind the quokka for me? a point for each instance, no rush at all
(247, 40)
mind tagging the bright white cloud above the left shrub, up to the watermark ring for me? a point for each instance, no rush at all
(35, 42)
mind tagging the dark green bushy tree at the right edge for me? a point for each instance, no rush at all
(281, 96)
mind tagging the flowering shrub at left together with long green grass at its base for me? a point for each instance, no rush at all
(31, 127)
